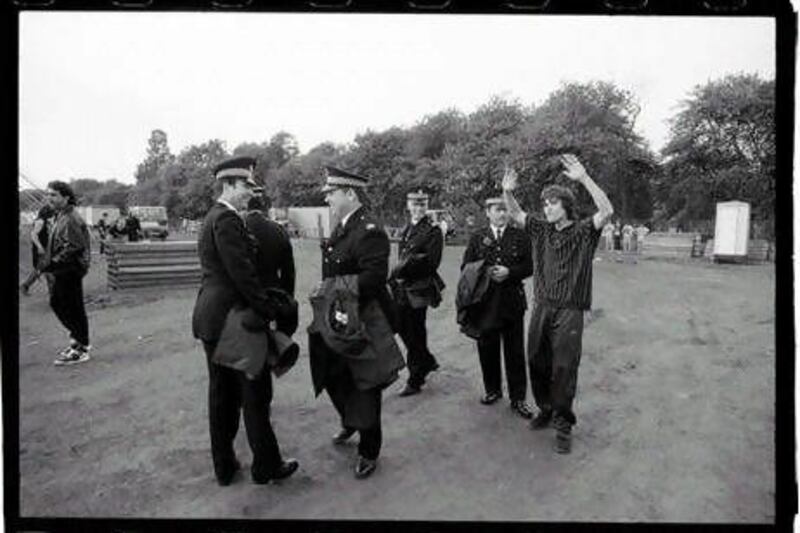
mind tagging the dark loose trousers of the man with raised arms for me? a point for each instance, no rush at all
(555, 340)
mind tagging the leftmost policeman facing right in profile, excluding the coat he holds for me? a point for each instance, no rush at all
(229, 279)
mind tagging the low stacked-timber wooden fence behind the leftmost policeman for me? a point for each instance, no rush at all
(152, 264)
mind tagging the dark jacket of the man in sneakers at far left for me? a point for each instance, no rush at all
(69, 244)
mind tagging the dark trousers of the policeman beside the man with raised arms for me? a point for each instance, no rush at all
(513, 354)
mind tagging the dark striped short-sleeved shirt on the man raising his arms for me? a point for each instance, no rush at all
(562, 262)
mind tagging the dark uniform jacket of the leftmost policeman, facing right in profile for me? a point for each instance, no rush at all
(228, 274)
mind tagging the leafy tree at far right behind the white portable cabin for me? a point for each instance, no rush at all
(721, 147)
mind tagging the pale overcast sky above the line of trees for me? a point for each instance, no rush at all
(93, 85)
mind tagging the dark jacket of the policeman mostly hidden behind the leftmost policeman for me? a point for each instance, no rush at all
(274, 255)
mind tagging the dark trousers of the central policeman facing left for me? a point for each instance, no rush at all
(358, 409)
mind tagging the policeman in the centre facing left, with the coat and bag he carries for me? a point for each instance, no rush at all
(356, 257)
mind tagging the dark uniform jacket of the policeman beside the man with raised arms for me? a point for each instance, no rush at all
(503, 301)
